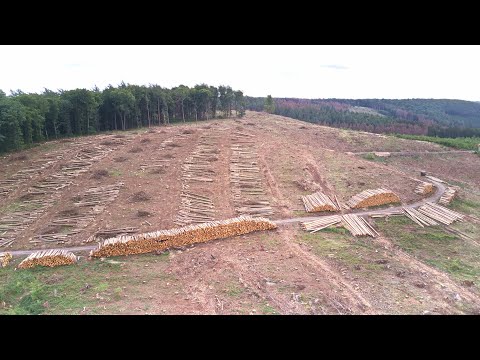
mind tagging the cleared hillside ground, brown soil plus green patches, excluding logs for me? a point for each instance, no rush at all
(406, 270)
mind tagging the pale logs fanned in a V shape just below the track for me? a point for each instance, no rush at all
(357, 225)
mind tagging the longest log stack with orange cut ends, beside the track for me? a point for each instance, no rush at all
(191, 234)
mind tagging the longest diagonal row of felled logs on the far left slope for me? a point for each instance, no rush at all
(43, 194)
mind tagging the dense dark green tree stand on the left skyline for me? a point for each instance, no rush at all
(26, 119)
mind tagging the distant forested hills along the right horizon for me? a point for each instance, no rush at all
(446, 118)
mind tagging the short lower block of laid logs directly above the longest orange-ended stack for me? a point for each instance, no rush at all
(194, 209)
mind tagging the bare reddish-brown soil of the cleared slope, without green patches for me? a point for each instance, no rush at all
(283, 271)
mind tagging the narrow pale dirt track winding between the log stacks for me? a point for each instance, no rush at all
(434, 198)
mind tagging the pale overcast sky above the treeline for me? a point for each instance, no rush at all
(282, 71)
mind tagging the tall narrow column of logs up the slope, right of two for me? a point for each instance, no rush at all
(249, 197)
